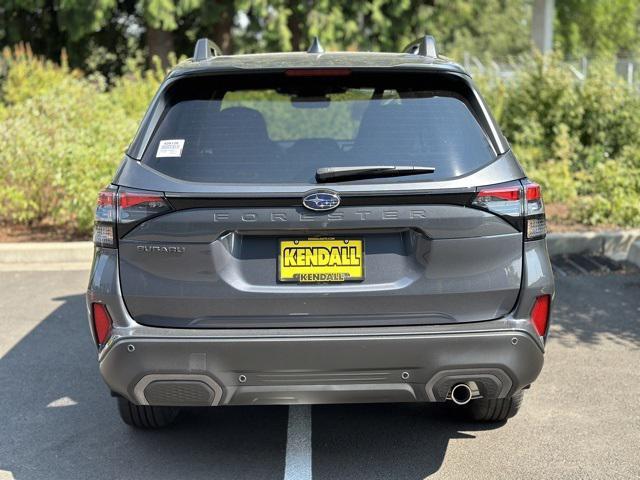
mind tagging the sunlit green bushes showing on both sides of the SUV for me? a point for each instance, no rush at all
(62, 135)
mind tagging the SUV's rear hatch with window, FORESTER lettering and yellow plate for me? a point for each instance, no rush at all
(242, 229)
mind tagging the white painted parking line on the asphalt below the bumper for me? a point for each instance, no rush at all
(297, 464)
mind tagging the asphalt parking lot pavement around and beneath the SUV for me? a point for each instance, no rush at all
(581, 419)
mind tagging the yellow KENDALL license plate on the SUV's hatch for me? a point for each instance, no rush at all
(321, 260)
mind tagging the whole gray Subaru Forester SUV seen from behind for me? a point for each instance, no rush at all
(319, 228)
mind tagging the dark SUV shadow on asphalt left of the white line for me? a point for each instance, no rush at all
(58, 421)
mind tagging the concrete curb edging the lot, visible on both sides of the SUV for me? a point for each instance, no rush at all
(617, 245)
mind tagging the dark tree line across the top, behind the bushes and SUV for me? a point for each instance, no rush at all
(103, 35)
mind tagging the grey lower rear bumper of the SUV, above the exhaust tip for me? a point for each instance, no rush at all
(290, 369)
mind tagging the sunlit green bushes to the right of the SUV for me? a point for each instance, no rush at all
(579, 139)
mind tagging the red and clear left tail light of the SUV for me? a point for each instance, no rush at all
(126, 208)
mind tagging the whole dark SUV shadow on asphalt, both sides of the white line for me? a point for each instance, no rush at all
(59, 422)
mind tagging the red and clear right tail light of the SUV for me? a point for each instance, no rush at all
(520, 204)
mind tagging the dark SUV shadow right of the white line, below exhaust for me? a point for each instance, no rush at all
(383, 441)
